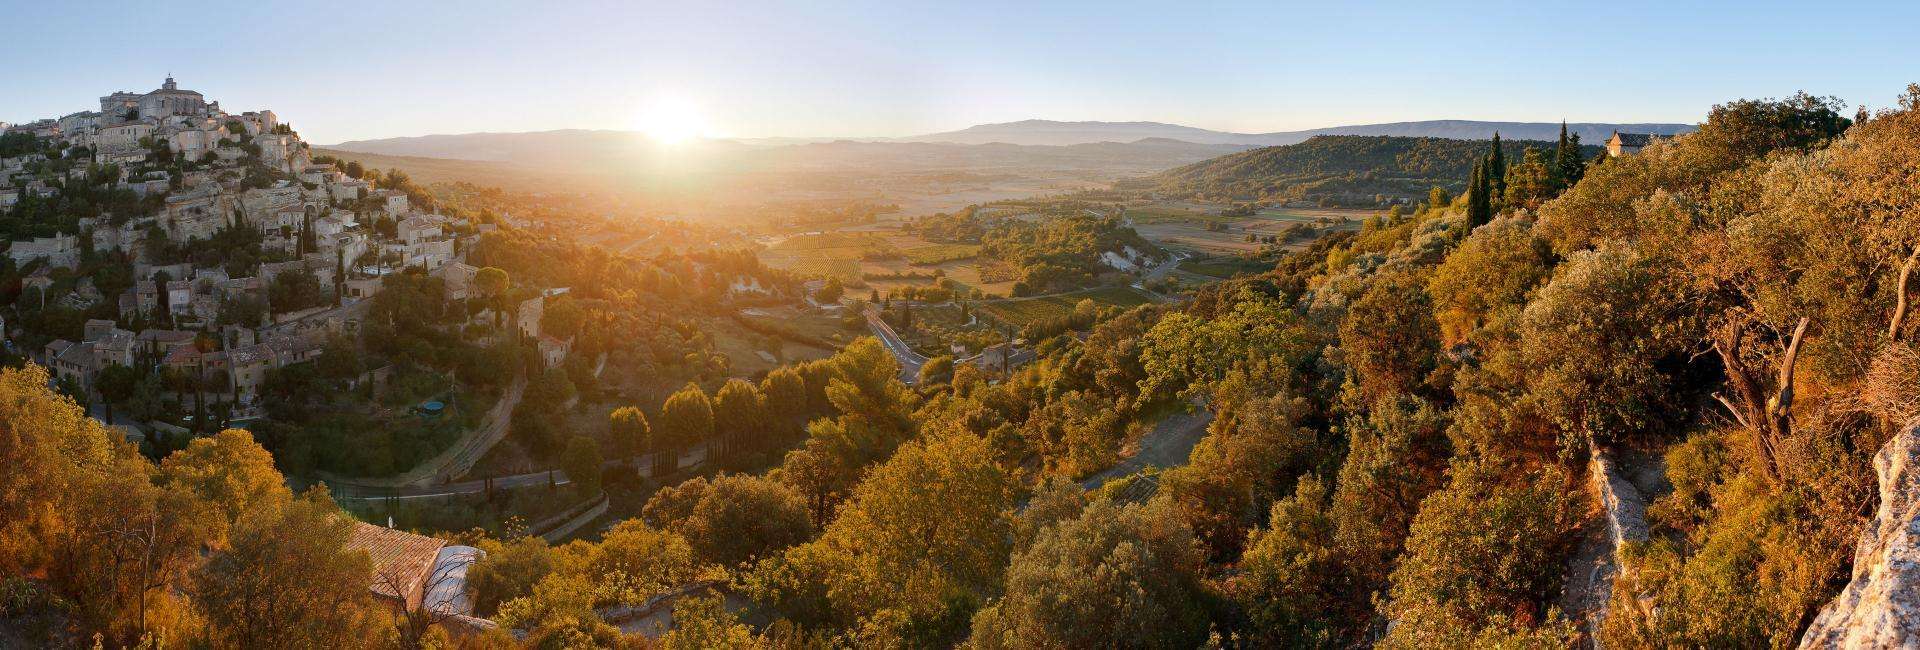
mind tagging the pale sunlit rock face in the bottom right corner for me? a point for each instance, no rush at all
(1881, 609)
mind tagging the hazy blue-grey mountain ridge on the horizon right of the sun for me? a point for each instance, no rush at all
(1042, 131)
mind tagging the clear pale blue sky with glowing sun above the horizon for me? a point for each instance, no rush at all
(370, 70)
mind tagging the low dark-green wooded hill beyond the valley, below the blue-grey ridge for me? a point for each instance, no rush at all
(1356, 172)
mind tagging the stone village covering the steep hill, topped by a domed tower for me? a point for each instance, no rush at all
(166, 233)
